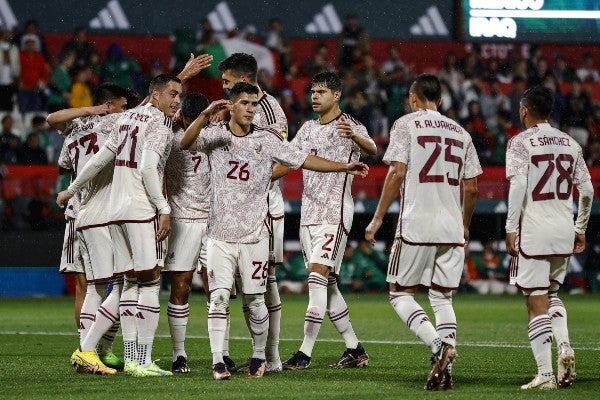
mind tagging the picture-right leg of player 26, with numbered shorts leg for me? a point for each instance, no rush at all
(253, 265)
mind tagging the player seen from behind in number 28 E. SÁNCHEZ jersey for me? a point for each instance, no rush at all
(543, 164)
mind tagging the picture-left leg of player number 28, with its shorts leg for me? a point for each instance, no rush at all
(533, 280)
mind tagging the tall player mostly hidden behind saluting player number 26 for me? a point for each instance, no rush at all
(241, 67)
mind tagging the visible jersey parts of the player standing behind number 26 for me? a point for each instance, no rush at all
(269, 114)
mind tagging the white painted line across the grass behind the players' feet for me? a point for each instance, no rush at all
(390, 342)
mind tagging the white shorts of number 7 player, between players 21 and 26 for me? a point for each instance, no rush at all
(186, 246)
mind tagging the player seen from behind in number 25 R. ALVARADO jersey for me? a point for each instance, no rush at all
(429, 156)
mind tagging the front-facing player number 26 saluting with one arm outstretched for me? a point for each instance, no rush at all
(241, 156)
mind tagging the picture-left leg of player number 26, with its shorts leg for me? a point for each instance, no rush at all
(219, 269)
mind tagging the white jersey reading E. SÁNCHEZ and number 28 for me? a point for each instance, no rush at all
(552, 162)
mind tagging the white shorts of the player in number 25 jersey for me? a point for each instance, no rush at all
(430, 266)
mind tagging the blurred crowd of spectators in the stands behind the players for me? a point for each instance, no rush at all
(481, 93)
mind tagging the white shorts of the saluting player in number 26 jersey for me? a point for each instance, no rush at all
(225, 259)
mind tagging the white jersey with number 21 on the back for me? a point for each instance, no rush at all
(141, 128)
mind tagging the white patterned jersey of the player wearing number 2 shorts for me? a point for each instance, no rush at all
(327, 197)
